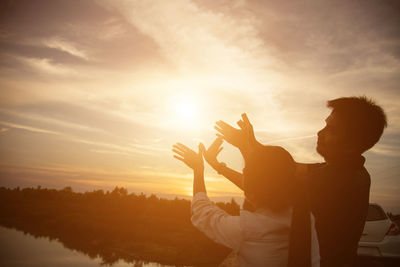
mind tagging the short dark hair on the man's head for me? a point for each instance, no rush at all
(363, 120)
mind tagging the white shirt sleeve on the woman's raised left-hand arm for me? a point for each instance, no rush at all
(216, 223)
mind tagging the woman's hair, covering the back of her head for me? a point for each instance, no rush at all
(269, 177)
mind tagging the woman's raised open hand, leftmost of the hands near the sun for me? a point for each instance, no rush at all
(192, 159)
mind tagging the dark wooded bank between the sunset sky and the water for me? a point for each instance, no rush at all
(113, 225)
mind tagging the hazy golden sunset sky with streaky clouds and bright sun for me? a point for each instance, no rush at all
(93, 94)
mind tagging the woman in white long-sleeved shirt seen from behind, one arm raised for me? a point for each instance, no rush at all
(259, 237)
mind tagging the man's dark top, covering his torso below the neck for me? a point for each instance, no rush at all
(339, 195)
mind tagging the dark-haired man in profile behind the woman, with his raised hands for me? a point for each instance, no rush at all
(338, 188)
